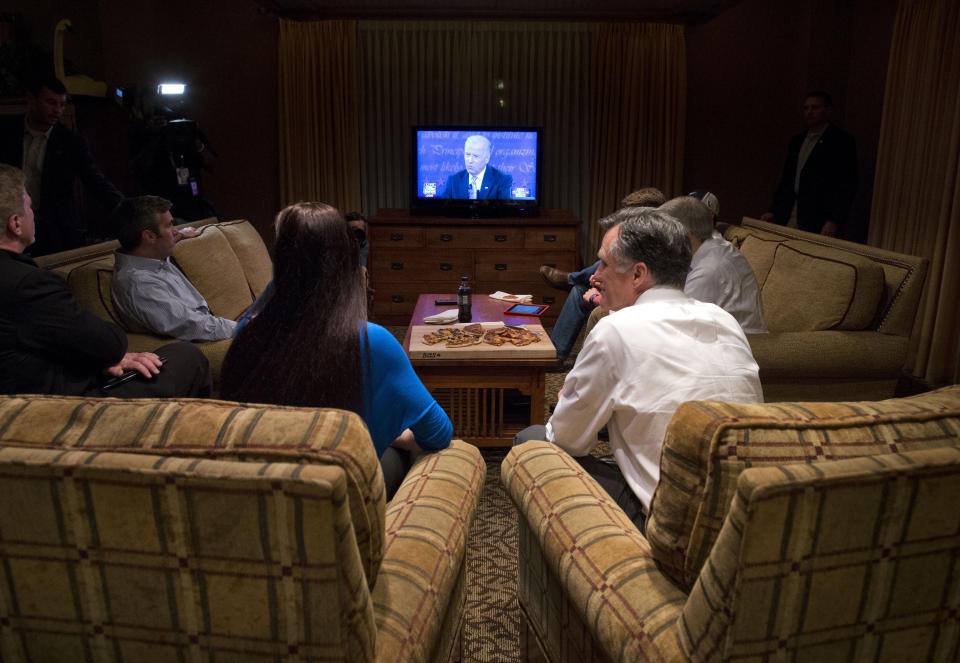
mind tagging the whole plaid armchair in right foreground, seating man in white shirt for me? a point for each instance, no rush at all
(821, 532)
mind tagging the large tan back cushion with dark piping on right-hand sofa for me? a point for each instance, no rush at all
(813, 287)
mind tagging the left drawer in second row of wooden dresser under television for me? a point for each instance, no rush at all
(422, 265)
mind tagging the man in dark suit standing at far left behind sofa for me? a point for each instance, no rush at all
(53, 158)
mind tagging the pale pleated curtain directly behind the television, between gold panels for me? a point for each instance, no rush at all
(474, 72)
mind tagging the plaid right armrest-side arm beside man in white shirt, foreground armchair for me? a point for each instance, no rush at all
(603, 566)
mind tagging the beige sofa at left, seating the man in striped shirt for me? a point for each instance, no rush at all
(228, 263)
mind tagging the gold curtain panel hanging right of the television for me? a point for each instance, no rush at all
(639, 96)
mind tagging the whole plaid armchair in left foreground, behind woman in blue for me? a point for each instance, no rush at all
(188, 530)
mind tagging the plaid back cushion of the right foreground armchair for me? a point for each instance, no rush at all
(708, 444)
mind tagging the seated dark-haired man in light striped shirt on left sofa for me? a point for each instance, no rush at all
(148, 290)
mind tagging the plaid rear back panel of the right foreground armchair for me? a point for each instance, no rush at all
(881, 586)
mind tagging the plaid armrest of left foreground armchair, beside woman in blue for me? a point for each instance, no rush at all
(418, 588)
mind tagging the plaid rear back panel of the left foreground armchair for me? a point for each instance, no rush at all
(111, 556)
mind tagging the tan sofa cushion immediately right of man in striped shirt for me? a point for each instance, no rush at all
(216, 271)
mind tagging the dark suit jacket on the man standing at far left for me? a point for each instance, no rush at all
(67, 158)
